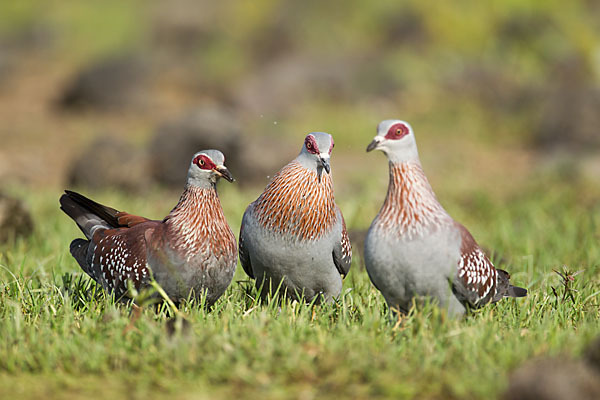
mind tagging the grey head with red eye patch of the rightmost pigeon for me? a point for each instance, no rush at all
(397, 140)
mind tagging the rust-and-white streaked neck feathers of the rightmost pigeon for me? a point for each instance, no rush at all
(411, 207)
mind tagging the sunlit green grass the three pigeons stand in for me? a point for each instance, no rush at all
(63, 339)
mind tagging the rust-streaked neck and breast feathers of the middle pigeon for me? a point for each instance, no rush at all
(297, 203)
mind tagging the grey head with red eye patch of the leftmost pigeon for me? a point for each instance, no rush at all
(206, 167)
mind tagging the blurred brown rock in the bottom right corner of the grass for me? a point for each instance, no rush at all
(554, 379)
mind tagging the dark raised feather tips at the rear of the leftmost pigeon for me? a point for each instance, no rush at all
(88, 214)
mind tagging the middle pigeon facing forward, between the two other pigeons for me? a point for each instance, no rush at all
(294, 235)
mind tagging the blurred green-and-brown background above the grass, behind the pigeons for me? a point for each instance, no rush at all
(500, 93)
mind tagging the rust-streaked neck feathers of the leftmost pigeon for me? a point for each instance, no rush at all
(197, 225)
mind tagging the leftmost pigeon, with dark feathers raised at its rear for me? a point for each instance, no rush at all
(192, 250)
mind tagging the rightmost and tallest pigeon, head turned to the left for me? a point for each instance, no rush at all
(414, 249)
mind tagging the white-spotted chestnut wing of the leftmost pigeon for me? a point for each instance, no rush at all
(119, 256)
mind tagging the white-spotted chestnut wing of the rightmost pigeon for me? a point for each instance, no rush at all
(476, 279)
